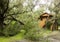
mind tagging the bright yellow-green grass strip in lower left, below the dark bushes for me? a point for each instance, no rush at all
(12, 39)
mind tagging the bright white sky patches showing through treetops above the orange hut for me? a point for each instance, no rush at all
(44, 2)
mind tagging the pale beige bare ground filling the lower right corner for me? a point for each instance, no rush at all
(54, 37)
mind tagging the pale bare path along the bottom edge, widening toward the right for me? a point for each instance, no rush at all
(52, 37)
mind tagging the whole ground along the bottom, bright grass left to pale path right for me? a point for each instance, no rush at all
(54, 36)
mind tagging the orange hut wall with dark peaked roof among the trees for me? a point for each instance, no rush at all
(43, 18)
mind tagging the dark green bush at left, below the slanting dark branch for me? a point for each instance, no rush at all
(12, 29)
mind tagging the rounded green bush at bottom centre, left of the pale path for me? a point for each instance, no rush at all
(34, 34)
